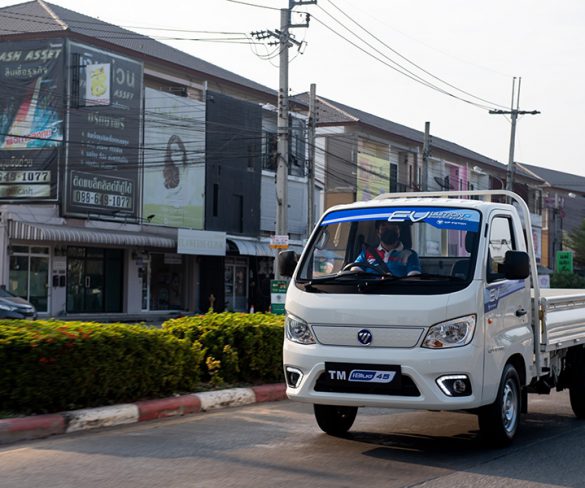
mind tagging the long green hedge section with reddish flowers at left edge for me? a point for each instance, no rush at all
(48, 366)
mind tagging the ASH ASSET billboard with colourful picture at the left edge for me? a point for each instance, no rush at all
(31, 119)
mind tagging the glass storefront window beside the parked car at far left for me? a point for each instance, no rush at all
(29, 275)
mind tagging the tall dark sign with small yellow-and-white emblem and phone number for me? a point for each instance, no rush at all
(103, 155)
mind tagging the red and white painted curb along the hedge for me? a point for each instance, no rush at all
(39, 426)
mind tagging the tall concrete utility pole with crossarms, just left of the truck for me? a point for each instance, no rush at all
(284, 41)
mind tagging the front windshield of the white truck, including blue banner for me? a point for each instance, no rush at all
(383, 249)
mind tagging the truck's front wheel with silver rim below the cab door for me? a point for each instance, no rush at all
(499, 421)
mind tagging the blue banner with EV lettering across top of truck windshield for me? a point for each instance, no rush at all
(439, 217)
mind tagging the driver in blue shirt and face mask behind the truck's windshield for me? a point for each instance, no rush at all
(391, 255)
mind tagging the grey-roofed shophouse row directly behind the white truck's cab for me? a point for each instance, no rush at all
(361, 155)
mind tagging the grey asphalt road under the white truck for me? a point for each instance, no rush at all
(278, 444)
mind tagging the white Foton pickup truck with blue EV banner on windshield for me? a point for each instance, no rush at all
(450, 318)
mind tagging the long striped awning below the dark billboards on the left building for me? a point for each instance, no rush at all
(80, 235)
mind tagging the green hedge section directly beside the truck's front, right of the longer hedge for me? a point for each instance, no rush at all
(237, 347)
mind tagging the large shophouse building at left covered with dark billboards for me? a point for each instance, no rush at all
(132, 174)
